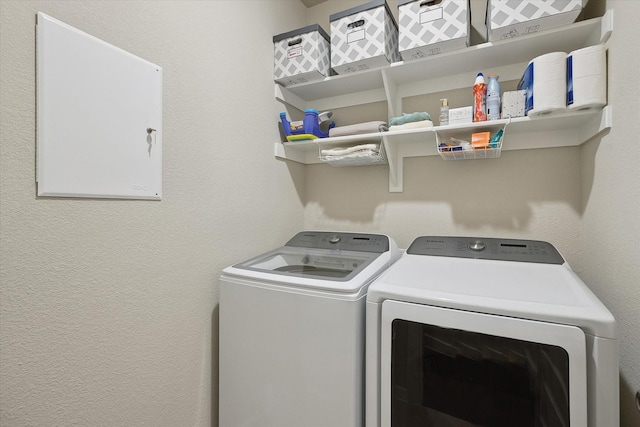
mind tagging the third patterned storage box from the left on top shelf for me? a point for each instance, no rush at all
(430, 27)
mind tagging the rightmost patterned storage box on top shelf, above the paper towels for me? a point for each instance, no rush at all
(512, 18)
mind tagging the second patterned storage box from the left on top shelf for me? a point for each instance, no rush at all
(363, 37)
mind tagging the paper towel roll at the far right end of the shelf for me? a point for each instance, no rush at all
(587, 78)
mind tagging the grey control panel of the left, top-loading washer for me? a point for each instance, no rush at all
(359, 242)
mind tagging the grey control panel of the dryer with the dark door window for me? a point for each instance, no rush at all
(487, 248)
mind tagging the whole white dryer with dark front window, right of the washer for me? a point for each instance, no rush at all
(488, 332)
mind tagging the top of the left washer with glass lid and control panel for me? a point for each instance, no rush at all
(341, 262)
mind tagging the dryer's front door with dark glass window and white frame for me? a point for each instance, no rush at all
(444, 367)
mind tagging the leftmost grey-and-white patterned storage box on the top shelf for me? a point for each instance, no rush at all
(301, 55)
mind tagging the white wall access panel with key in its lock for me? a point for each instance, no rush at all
(99, 117)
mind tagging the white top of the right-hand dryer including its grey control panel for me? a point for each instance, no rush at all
(526, 279)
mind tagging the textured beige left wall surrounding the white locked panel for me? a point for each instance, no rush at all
(108, 311)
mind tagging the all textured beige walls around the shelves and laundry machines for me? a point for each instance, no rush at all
(108, 309)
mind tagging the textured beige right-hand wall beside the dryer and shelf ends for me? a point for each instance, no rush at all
(611, 203)
